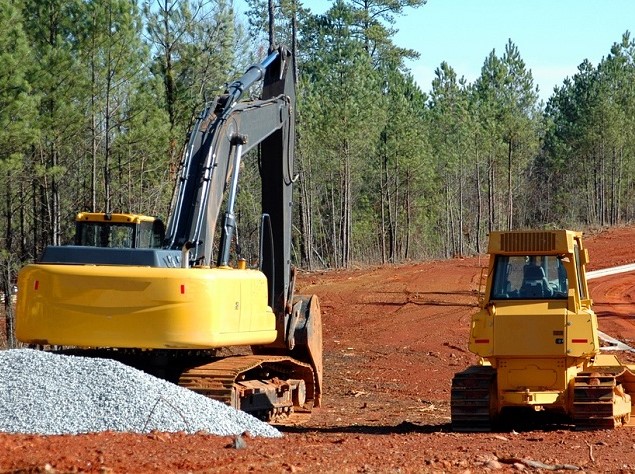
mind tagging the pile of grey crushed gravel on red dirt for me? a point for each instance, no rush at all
(45, 393)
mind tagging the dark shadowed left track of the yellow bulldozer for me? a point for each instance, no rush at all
(471, 399)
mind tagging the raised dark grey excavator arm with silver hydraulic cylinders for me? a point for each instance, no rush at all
(210, 165)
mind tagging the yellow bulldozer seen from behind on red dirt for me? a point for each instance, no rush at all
(537, 336)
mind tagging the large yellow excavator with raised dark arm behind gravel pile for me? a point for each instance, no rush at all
(171, 299)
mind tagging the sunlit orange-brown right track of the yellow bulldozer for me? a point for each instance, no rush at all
(599, 400)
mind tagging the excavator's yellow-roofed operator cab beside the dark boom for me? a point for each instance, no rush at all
(118, 230)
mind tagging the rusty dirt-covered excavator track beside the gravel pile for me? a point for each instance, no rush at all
(276, 389)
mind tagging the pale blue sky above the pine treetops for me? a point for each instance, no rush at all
(553, 36)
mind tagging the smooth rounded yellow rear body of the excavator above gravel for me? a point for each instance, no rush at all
(143, 307)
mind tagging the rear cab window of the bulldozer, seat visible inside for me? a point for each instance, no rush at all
(529, 277)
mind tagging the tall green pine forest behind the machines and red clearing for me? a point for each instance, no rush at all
(96, 98)
